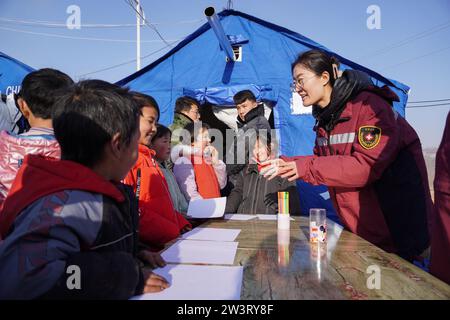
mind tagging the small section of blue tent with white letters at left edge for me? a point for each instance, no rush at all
(12, 72)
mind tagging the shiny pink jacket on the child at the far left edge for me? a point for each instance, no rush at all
(13, 149)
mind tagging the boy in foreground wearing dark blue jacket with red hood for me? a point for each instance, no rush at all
(69, 226)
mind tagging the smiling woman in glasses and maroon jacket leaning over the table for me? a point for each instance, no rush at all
(369, 157)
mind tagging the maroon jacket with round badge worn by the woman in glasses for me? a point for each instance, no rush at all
(372, 163)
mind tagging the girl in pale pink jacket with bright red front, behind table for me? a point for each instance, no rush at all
(200, 175)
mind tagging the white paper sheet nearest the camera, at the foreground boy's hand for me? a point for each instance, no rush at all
(191, 282)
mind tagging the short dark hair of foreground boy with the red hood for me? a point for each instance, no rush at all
(88, 115)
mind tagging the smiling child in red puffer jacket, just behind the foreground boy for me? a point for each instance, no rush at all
(159, 222)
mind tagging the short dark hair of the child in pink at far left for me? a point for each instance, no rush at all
(40, 89)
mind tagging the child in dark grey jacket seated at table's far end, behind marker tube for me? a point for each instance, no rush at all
(253, 194)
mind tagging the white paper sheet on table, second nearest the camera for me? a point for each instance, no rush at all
(197, 251)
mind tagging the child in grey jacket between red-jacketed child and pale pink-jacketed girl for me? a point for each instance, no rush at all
(161, 145)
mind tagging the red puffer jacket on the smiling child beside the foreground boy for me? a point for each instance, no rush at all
(159, 222)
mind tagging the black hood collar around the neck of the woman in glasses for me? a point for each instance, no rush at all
(345, 88)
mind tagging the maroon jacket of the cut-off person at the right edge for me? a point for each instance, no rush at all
(440, 239)
